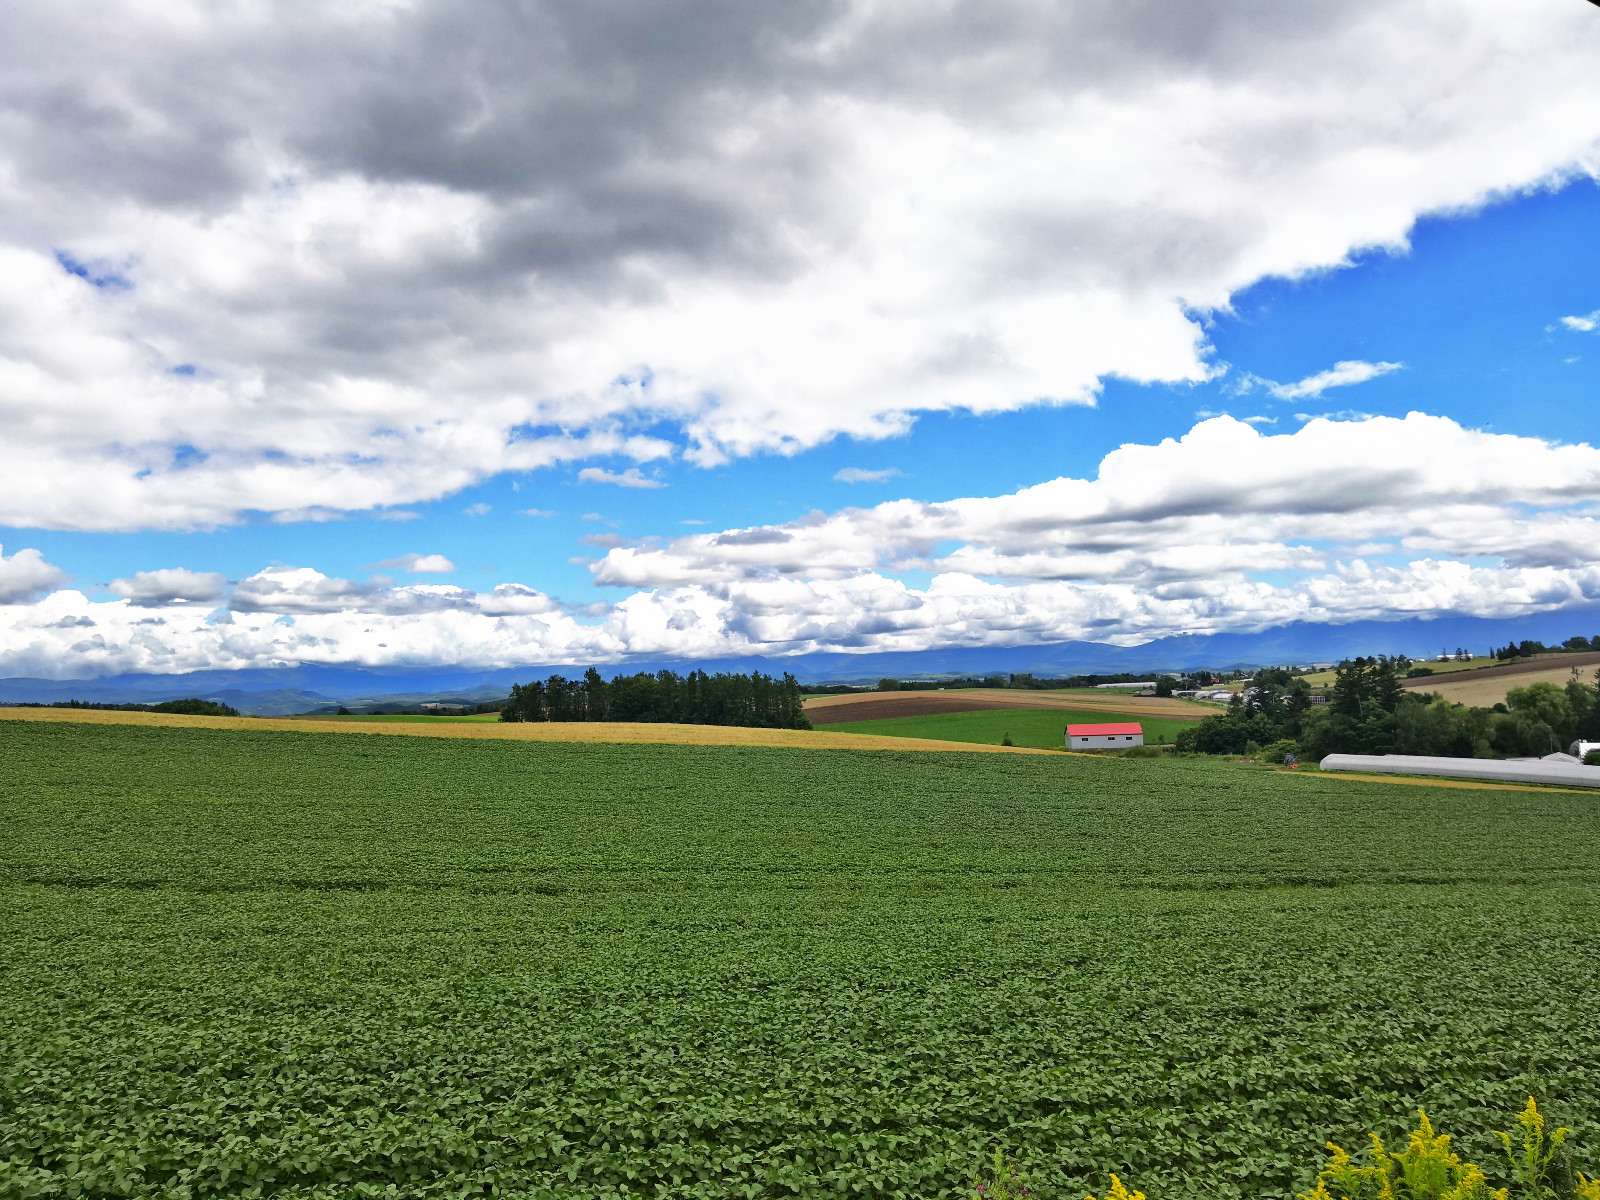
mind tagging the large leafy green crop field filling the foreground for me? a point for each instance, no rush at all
(249, 964)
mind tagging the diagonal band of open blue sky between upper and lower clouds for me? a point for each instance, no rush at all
(1471, 310)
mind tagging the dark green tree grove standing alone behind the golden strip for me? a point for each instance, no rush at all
(698, 698)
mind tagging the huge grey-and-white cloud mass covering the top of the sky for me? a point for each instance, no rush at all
(244, 247)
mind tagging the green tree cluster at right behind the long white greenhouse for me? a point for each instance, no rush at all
(1369, 713)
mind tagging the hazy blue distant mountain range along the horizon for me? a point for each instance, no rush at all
(287, 690)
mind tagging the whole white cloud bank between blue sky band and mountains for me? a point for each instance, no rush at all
(1372, 519)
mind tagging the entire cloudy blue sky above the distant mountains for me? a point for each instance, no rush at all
(468, 335)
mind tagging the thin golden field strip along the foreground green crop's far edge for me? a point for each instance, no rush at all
(542, 732)
